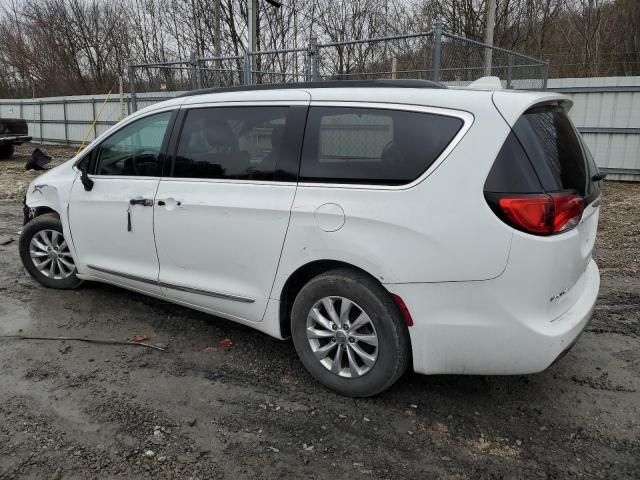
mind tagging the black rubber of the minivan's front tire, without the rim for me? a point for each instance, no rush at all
(48, 221)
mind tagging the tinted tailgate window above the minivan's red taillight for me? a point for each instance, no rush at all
(553, 146)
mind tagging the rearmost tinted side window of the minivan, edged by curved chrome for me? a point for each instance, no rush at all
(372, 146)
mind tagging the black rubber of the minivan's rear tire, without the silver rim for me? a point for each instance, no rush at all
(394, 346)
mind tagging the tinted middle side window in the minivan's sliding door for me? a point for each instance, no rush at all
(241, 143)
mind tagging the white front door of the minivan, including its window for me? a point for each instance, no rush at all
(112, 224)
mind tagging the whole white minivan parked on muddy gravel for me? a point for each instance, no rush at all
(380, 224)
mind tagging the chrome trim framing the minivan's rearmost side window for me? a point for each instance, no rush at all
(466, 117)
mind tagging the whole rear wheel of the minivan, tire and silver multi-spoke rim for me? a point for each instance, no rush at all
(382, 320)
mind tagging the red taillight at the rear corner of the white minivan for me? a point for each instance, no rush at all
(540, 214)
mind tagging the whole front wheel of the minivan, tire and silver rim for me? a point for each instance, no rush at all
(47, 230)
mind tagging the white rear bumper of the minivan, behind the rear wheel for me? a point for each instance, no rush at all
(470, 327)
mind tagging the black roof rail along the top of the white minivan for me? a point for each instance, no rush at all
(384, 83)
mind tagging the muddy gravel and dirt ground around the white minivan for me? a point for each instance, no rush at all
(80, 410)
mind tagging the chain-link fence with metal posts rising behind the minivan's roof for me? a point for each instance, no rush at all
(436, 55)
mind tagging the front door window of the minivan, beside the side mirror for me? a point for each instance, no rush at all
(133, 150)
